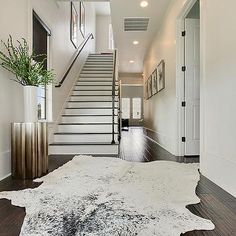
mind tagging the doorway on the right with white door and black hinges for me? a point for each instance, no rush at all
(189, 80)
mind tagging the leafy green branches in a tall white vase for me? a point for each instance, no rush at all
(28, 72)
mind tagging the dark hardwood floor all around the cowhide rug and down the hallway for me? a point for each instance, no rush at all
(216, 204)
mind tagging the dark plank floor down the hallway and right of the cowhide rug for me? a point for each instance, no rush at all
(216, 204)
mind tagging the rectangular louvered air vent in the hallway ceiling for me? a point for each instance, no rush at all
(136, 23)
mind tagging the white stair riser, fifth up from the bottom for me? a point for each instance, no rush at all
(89, 111)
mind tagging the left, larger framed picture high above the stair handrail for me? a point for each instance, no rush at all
(74, 26)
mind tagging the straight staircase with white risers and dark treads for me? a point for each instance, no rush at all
(87, 122)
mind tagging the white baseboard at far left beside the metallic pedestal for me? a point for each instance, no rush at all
(5, 164)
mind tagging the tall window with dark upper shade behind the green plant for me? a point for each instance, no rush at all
(41, 35)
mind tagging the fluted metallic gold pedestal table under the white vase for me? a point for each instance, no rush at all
(29, 145)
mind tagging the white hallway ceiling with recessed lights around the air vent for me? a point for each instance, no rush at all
(124, 40)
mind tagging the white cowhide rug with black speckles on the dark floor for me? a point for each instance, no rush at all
(106, 196)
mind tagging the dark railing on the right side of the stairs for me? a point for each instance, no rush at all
(114, 94)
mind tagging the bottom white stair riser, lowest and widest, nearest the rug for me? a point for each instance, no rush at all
(83, 149)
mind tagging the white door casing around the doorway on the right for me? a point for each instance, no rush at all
(180, 75)
